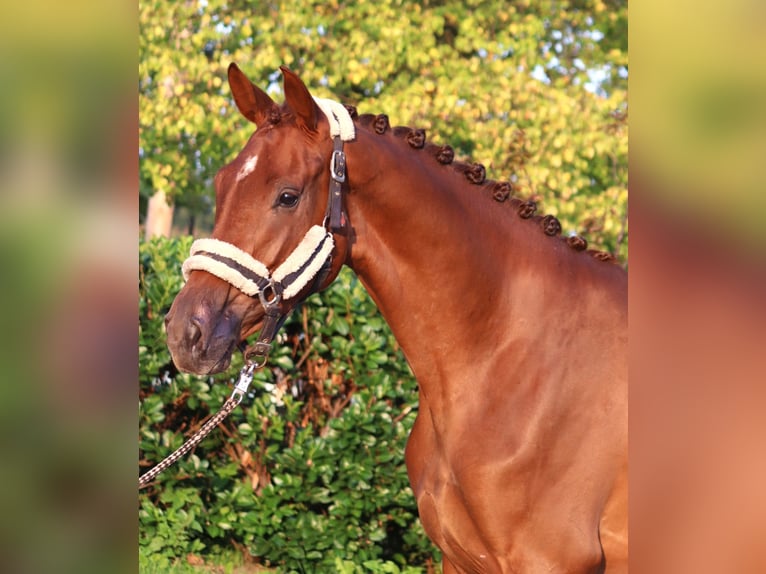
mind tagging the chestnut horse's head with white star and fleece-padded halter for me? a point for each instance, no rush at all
(270, 244)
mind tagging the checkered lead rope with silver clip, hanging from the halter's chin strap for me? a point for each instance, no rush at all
(261, 355)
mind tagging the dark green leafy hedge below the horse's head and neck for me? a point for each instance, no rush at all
(308, 474)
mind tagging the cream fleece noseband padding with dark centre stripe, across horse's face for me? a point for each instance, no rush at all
(316, 239)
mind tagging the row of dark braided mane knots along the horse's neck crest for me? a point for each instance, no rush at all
(475, 173)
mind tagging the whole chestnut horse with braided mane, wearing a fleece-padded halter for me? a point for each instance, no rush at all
(516, 336)
